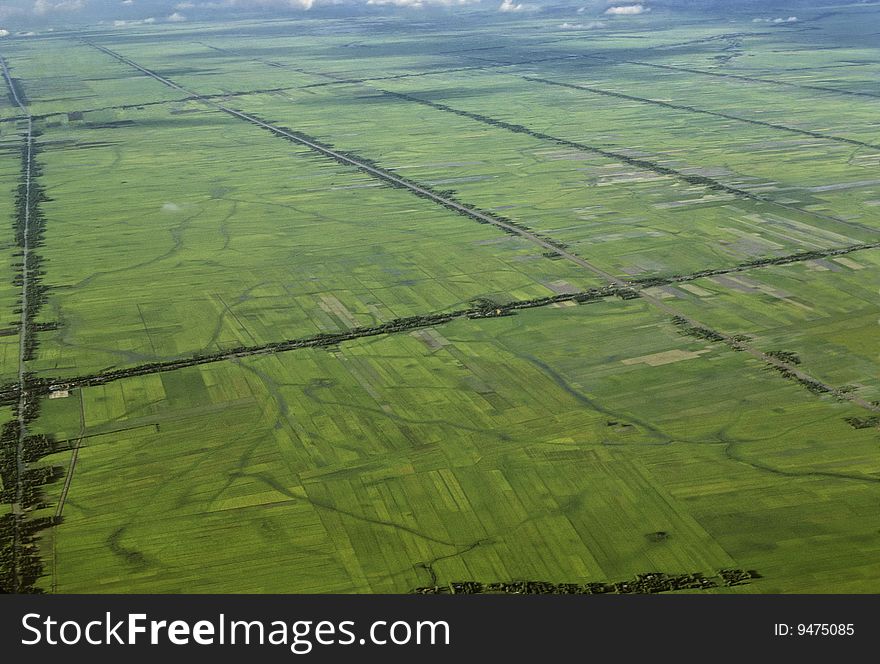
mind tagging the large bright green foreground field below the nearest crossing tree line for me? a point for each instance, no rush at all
(519, 448)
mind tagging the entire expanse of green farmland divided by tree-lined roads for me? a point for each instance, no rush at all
(325, 306)
